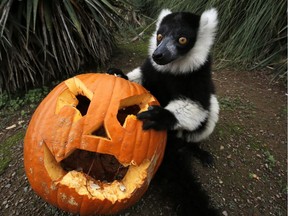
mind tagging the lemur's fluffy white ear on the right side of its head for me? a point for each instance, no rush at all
(209, 21)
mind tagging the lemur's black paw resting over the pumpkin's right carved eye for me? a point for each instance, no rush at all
(157, 118)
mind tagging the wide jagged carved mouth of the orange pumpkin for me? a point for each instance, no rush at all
(85, 177)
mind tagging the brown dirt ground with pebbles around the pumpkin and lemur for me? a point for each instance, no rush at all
(249, 146)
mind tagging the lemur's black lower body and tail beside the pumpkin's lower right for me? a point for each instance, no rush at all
(178, 181)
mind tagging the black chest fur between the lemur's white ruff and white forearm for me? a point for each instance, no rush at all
(197, 86)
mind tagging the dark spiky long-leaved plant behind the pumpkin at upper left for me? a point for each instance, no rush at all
(44, 39)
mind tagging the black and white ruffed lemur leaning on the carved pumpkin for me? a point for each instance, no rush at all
(178, 73)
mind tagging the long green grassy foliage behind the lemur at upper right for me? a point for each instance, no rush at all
(251, 34)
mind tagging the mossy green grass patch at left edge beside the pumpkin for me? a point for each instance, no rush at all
(6, 149)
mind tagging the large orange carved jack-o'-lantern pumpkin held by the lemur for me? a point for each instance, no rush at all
(85, 151)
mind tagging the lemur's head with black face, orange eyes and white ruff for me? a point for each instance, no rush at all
(182, 40)
